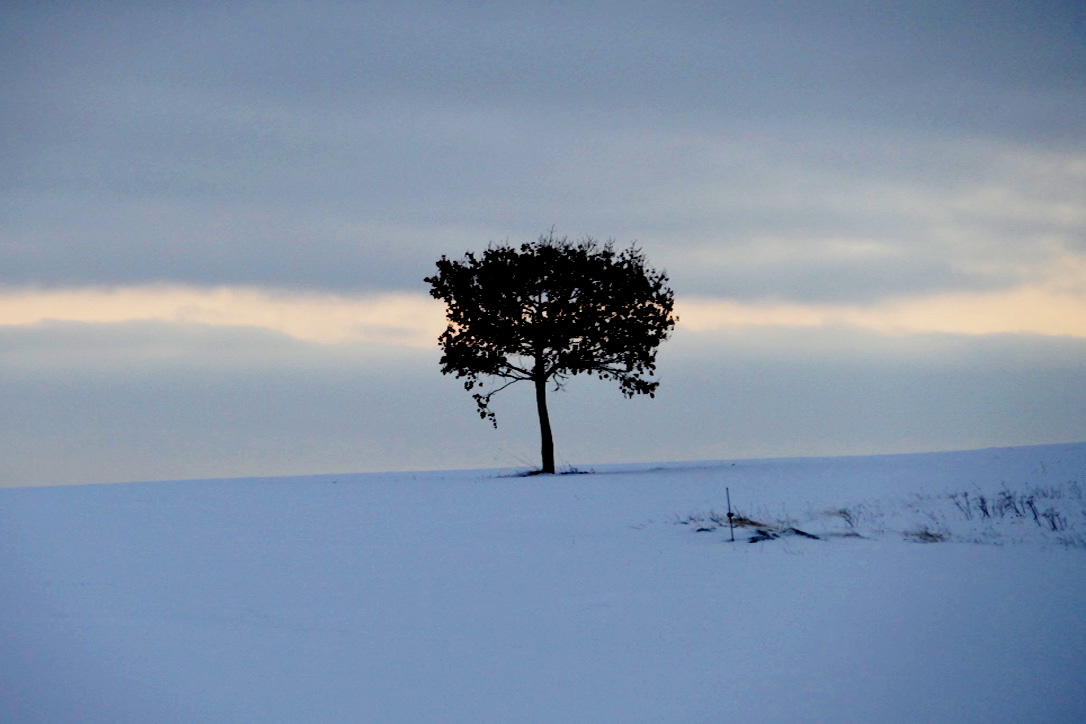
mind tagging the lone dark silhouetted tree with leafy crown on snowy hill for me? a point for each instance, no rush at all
(548, 311)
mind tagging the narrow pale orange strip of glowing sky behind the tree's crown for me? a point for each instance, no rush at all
(415, 321)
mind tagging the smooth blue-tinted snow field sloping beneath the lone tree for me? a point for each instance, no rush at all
(483, 598)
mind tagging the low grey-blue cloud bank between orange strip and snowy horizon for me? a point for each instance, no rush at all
(145, 401)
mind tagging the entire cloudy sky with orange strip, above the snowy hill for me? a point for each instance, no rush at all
(216, 220)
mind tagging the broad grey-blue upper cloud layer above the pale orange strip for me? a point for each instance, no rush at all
(345, 147)
